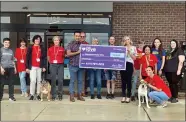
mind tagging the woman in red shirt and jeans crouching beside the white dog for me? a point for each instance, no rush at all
(161, 91)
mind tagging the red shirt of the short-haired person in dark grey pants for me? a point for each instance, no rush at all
(56, 54)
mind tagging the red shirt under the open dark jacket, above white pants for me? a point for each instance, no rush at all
(36, 54)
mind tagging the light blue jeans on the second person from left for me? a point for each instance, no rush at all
(22, 76)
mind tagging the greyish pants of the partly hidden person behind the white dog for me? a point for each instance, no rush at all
(134, 81)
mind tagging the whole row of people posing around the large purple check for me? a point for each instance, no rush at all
(142, 62)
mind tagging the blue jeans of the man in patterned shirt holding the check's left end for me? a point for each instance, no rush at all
(75, 71)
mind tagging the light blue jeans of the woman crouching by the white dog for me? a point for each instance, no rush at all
(159, 97)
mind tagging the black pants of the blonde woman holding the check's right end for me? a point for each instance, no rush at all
(126, 79)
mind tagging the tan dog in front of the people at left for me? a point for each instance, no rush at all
(45, 90)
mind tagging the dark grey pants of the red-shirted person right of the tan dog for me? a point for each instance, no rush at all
(56, 71)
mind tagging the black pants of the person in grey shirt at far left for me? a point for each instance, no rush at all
(7, 78)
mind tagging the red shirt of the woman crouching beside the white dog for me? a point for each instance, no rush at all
(159, 83)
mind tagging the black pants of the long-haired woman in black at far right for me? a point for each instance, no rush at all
(173, 80)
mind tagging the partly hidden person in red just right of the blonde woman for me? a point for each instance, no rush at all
(136, 72)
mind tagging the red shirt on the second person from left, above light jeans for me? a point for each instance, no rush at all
(20, 55)
